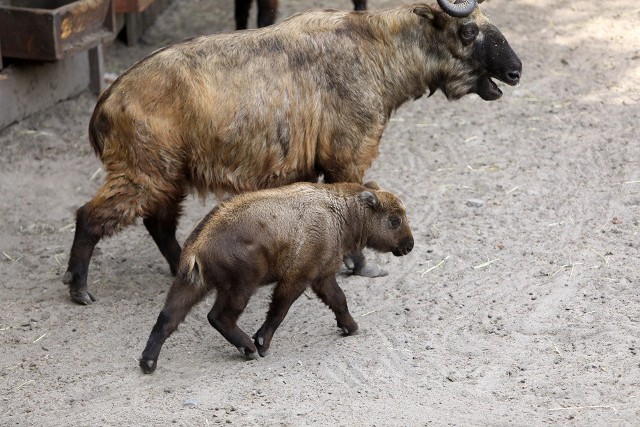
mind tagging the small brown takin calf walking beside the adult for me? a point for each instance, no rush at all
(295, 235)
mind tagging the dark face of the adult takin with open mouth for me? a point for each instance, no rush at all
(477, 52)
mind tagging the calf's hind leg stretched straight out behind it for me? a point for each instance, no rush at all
(182, 297)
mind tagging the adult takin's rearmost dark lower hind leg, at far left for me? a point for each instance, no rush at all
(84, 241)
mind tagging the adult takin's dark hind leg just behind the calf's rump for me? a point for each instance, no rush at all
(162, 228)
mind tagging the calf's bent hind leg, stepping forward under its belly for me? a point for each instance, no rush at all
(224, 315)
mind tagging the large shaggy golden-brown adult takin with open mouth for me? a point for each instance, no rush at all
(307, 98)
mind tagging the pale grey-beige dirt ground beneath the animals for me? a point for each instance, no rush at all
(520, 304)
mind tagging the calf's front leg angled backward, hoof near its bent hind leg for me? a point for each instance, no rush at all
(284, 294)
